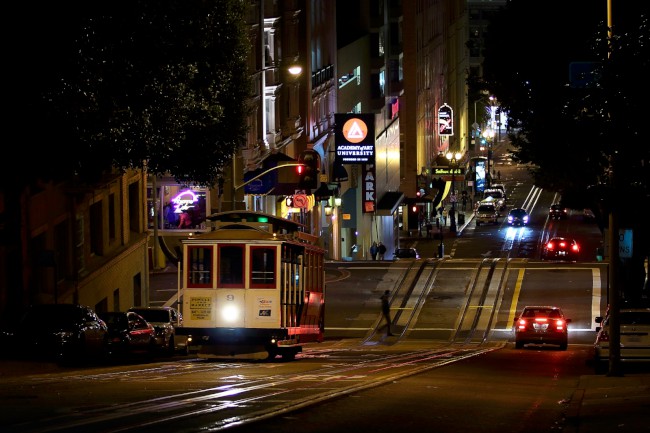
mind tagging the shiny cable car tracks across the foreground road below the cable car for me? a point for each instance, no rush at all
(233, 401)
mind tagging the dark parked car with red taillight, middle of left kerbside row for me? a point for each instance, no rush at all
(129, 334)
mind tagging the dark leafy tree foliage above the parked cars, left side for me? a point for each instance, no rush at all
(160, 83)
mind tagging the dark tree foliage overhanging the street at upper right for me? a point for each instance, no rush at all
(570, 128)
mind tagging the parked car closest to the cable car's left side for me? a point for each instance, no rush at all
(165, 320)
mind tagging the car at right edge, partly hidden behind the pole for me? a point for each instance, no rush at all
(634, 337)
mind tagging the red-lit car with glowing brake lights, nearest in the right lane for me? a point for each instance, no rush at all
(541, 325)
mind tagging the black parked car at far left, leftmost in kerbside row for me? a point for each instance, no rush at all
(67, 333)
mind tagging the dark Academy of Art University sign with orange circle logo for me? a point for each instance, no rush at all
(354, 135)
